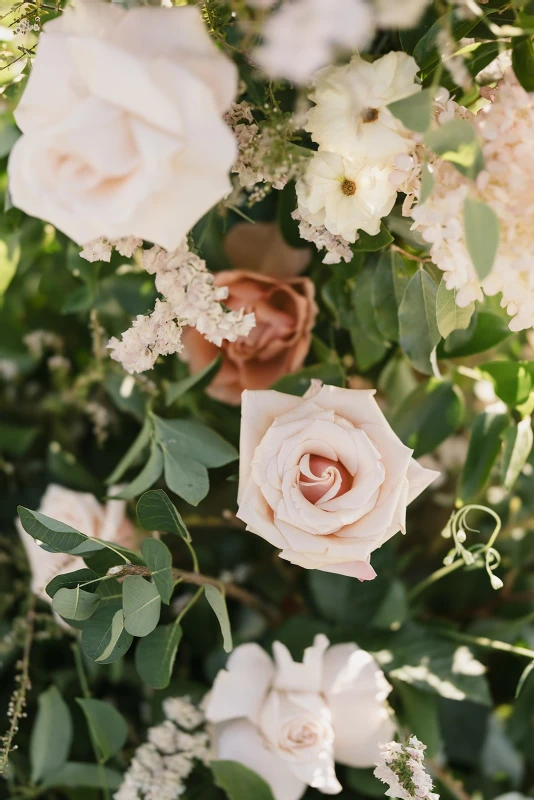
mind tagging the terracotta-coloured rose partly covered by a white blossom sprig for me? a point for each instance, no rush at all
(285, 315)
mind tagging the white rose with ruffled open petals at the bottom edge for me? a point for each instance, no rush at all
(290, 721)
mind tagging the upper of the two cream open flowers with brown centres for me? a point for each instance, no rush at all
(351, 115)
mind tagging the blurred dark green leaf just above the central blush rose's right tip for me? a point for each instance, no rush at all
(429, 415)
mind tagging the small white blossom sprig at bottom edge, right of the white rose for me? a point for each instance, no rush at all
(402, 767)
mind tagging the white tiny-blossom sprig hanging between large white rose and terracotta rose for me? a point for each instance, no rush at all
(191, 298)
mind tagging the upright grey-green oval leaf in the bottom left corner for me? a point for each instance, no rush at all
(51, 735)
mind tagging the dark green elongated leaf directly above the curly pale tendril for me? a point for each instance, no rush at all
(484, 447)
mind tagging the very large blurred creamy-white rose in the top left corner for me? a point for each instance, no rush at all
(122, 124)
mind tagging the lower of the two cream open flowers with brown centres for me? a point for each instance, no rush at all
(344, 196)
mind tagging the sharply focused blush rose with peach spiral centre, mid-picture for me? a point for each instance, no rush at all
(323, 477)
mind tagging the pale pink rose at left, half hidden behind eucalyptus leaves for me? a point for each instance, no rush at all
(83, 513)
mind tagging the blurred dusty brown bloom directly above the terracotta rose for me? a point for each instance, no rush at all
(262, 248)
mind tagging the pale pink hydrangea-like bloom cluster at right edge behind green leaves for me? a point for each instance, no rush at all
(505, 127)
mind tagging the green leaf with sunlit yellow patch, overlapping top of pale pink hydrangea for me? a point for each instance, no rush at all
(456, 141)
